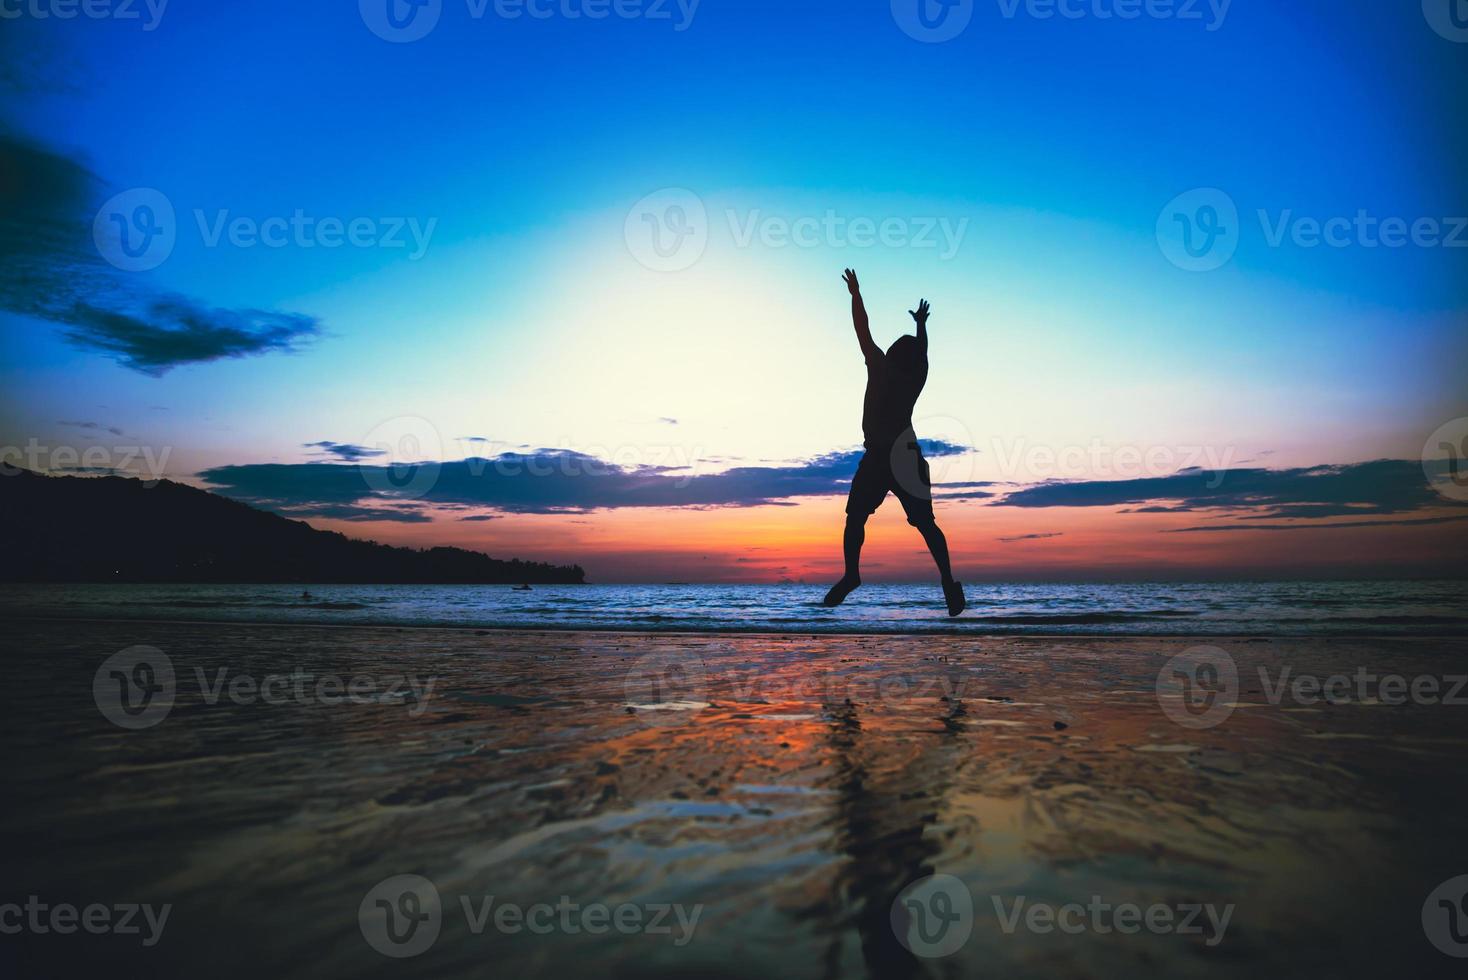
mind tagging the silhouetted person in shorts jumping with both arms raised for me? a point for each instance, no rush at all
(893, 461)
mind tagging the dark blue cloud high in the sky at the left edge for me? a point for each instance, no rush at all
(51, 269)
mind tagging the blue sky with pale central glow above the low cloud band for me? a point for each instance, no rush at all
(1053, 143)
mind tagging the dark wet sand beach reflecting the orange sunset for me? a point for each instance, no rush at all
(748, 805)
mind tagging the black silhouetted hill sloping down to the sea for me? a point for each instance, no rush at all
(123, 530)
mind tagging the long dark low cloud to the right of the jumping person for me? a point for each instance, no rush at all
(1378, 488)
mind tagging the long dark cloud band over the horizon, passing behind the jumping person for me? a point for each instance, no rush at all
(539, 482)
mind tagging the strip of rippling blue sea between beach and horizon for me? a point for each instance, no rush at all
(1182, 610)
